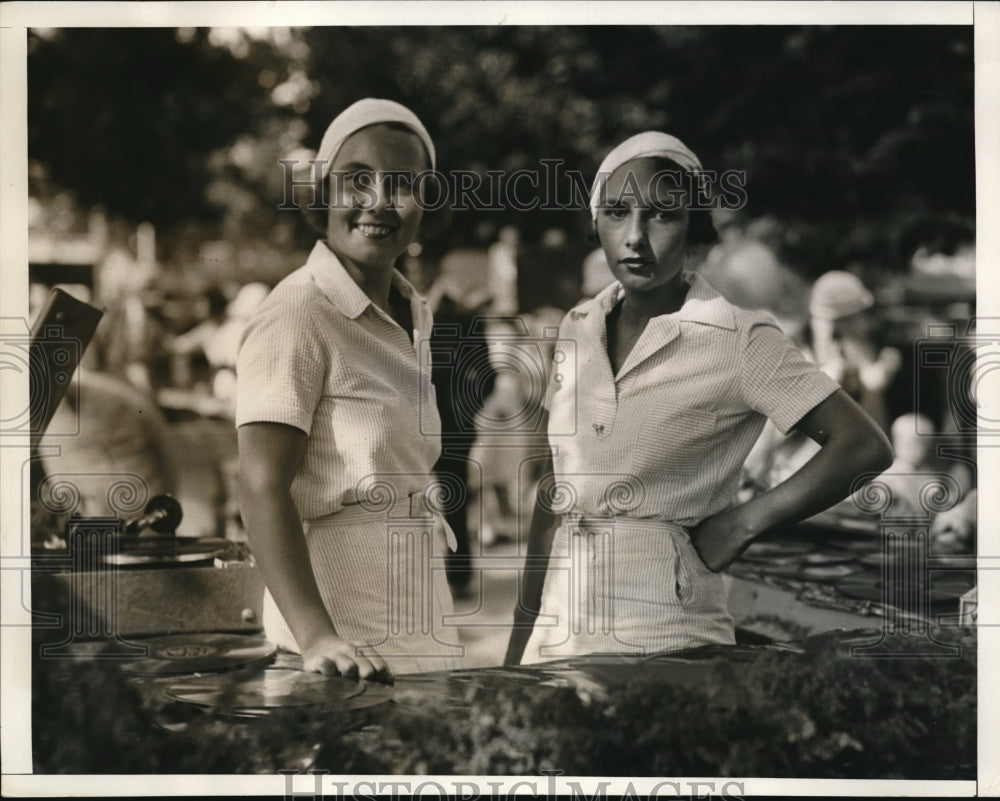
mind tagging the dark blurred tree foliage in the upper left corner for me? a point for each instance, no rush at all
(130, 119)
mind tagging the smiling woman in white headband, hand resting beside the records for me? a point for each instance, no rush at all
(338, 429)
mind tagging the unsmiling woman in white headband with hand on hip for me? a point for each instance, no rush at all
(670, 388)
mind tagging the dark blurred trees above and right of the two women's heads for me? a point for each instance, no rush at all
(849, 135)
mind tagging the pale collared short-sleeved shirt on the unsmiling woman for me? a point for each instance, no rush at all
(665, 438)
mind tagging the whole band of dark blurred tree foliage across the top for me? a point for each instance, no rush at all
(852, 136)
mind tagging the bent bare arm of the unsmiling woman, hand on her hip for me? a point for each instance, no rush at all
(851, 444)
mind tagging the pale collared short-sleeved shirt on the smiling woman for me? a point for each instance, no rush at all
(320, 356)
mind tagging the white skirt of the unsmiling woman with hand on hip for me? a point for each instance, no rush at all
(626, 586)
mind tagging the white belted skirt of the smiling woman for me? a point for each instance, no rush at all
(383, 584)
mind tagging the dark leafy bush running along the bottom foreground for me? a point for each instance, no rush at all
(784, 714)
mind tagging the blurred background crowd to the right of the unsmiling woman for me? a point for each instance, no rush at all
(840, 324)
